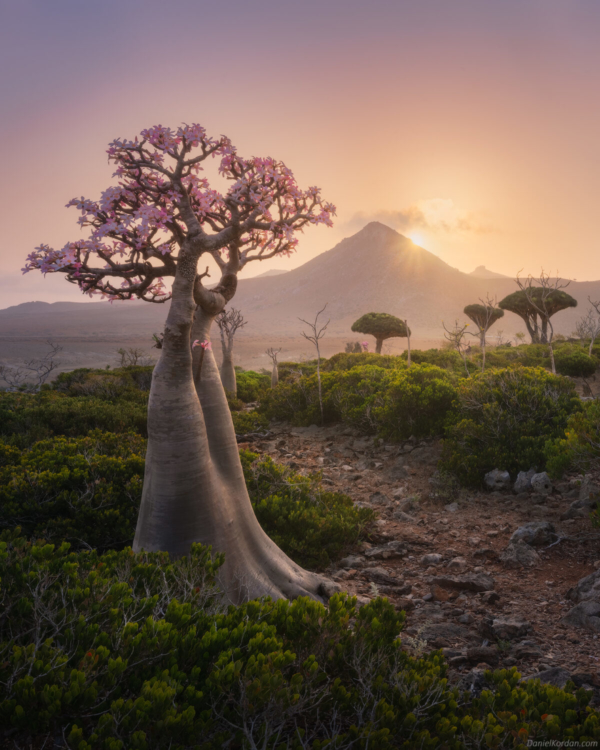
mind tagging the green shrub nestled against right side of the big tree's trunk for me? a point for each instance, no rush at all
(312, 526)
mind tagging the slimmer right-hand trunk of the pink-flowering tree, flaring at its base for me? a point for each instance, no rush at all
(254, 565)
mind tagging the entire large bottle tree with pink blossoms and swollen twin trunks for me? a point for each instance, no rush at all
(158, 221)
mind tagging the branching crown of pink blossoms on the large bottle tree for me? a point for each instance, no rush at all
(138, 224)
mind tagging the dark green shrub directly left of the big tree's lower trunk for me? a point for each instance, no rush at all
(83, 490)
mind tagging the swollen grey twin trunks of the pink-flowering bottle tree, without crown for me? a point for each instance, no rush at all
(194, 487)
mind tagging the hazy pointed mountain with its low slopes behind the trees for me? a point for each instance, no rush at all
(374, 270)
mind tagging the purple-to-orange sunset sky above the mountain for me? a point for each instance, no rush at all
(471, 126)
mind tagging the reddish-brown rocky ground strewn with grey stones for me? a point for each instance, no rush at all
(449, 562)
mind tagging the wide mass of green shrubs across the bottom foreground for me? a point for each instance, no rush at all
(136, 651)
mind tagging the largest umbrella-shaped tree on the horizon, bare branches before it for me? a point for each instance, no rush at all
(536, 302)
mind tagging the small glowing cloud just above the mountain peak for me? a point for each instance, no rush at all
(433, 214)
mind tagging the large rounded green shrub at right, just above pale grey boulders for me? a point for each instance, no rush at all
(503, 419)
